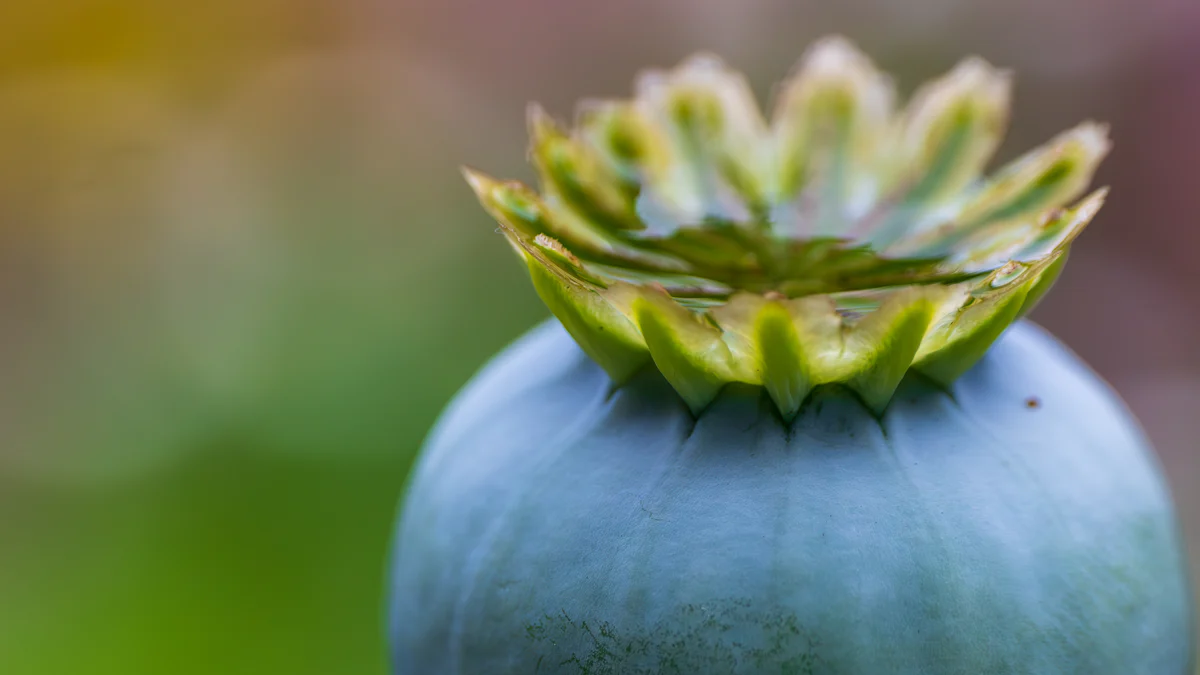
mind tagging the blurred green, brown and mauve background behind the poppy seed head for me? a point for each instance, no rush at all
(241, 276)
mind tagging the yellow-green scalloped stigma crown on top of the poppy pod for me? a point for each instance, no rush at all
(842, 242)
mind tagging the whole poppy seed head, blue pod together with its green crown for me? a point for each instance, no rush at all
(769, 431)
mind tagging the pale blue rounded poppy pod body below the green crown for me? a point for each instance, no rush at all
(554, 525)
